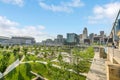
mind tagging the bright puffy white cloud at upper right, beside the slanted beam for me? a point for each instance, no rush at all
(104, 13)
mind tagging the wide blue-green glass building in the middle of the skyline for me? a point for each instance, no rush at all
(72, 38)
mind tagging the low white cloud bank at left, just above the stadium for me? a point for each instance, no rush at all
(10, 28)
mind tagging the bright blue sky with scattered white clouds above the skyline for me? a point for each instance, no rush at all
(44, 19)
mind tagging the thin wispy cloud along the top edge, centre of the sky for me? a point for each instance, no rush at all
(62, 7)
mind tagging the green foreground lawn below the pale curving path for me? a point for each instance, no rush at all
(22, 72)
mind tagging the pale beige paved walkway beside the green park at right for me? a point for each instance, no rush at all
(97, 69)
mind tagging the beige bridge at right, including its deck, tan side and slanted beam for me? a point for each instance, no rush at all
(109, 56)
